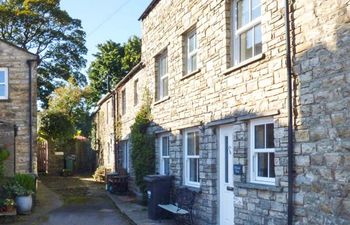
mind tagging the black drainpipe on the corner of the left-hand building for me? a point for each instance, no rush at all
(29, 63)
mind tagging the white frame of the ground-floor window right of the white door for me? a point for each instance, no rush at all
(253, 165)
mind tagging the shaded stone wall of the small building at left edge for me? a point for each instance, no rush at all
(15, 110)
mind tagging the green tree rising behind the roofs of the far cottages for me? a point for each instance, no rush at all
(112, 62)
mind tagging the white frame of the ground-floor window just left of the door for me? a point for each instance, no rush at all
(186, 164)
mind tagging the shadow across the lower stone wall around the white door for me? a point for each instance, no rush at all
(206, 205)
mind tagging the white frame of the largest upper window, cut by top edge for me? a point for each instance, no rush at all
(236, 50)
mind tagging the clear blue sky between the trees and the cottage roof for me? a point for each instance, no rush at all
(104, 20)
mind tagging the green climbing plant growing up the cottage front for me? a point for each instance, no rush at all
(142, 155)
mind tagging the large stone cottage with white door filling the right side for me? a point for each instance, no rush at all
(259, 124)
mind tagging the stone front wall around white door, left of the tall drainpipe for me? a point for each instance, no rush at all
(218, 91)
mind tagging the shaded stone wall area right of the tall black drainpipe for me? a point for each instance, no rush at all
(322, 154)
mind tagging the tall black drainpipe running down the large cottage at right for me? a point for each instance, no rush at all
(290, 117)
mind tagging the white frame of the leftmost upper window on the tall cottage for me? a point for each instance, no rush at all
(161, 77)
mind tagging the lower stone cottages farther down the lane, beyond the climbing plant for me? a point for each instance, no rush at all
(113, 118)
